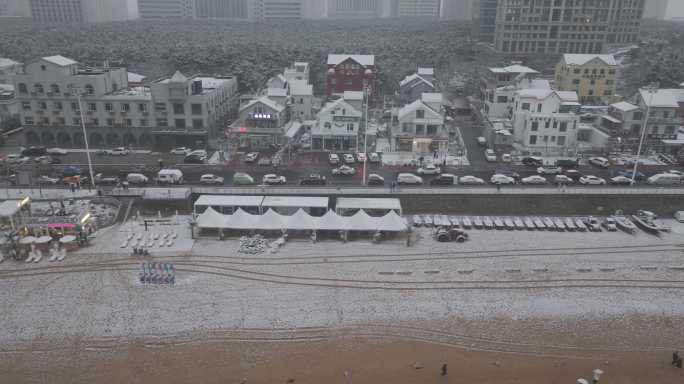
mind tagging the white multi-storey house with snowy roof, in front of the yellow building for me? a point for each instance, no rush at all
(546, 121)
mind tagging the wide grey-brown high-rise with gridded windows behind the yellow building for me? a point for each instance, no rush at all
(558, 26)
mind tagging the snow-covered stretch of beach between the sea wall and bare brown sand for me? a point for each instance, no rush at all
(114, 303)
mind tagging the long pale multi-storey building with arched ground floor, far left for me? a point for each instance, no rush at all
(172, 111)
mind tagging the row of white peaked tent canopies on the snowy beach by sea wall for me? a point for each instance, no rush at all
(331, 221)
